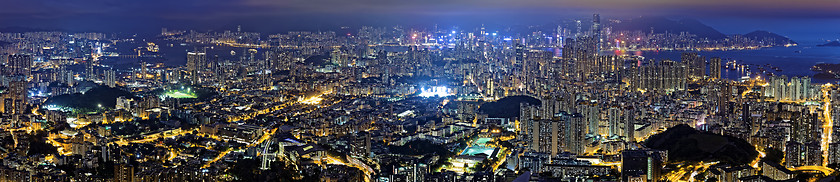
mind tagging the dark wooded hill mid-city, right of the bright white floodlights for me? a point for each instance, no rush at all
(507, 107)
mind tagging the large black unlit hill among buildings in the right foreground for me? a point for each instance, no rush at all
(684, 143)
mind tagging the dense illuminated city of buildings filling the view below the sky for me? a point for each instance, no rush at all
(402, 104)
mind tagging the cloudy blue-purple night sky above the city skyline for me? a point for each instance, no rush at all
(729, 16)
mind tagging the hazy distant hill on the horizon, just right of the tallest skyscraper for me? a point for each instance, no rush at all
(663, 25)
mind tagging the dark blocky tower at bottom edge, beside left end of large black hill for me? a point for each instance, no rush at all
(644, 164)
